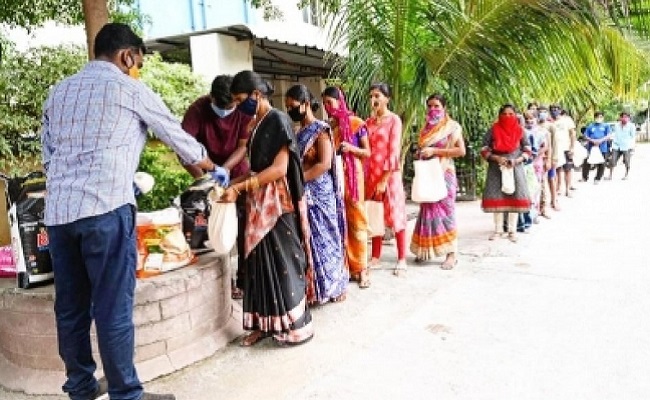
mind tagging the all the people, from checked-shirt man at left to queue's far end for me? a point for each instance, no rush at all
(300, 193)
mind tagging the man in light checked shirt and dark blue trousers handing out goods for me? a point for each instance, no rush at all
(94, 129)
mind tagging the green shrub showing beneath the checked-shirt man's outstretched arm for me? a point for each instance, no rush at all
(170, 178)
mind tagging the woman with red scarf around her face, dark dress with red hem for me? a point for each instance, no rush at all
(506, 148)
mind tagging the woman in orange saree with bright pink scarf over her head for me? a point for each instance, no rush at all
(351, 141)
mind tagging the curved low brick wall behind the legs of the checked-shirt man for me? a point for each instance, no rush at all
(181, 317)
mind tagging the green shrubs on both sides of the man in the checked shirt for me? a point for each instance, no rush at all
(25, 79)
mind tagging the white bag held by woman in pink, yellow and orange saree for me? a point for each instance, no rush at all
(429, 181)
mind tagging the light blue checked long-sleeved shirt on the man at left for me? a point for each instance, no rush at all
(94, 129)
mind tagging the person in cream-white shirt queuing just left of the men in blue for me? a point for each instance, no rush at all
(565, 138)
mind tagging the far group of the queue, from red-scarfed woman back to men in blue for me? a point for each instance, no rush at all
(531, 158)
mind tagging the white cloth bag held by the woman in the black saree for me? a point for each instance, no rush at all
(222, 224)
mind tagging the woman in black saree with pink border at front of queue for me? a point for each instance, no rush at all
(277, 232)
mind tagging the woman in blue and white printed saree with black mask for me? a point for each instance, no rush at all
(323, 196)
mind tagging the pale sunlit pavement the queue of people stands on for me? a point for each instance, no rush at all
(562, 314)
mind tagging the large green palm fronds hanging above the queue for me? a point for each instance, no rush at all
(483, 53)
